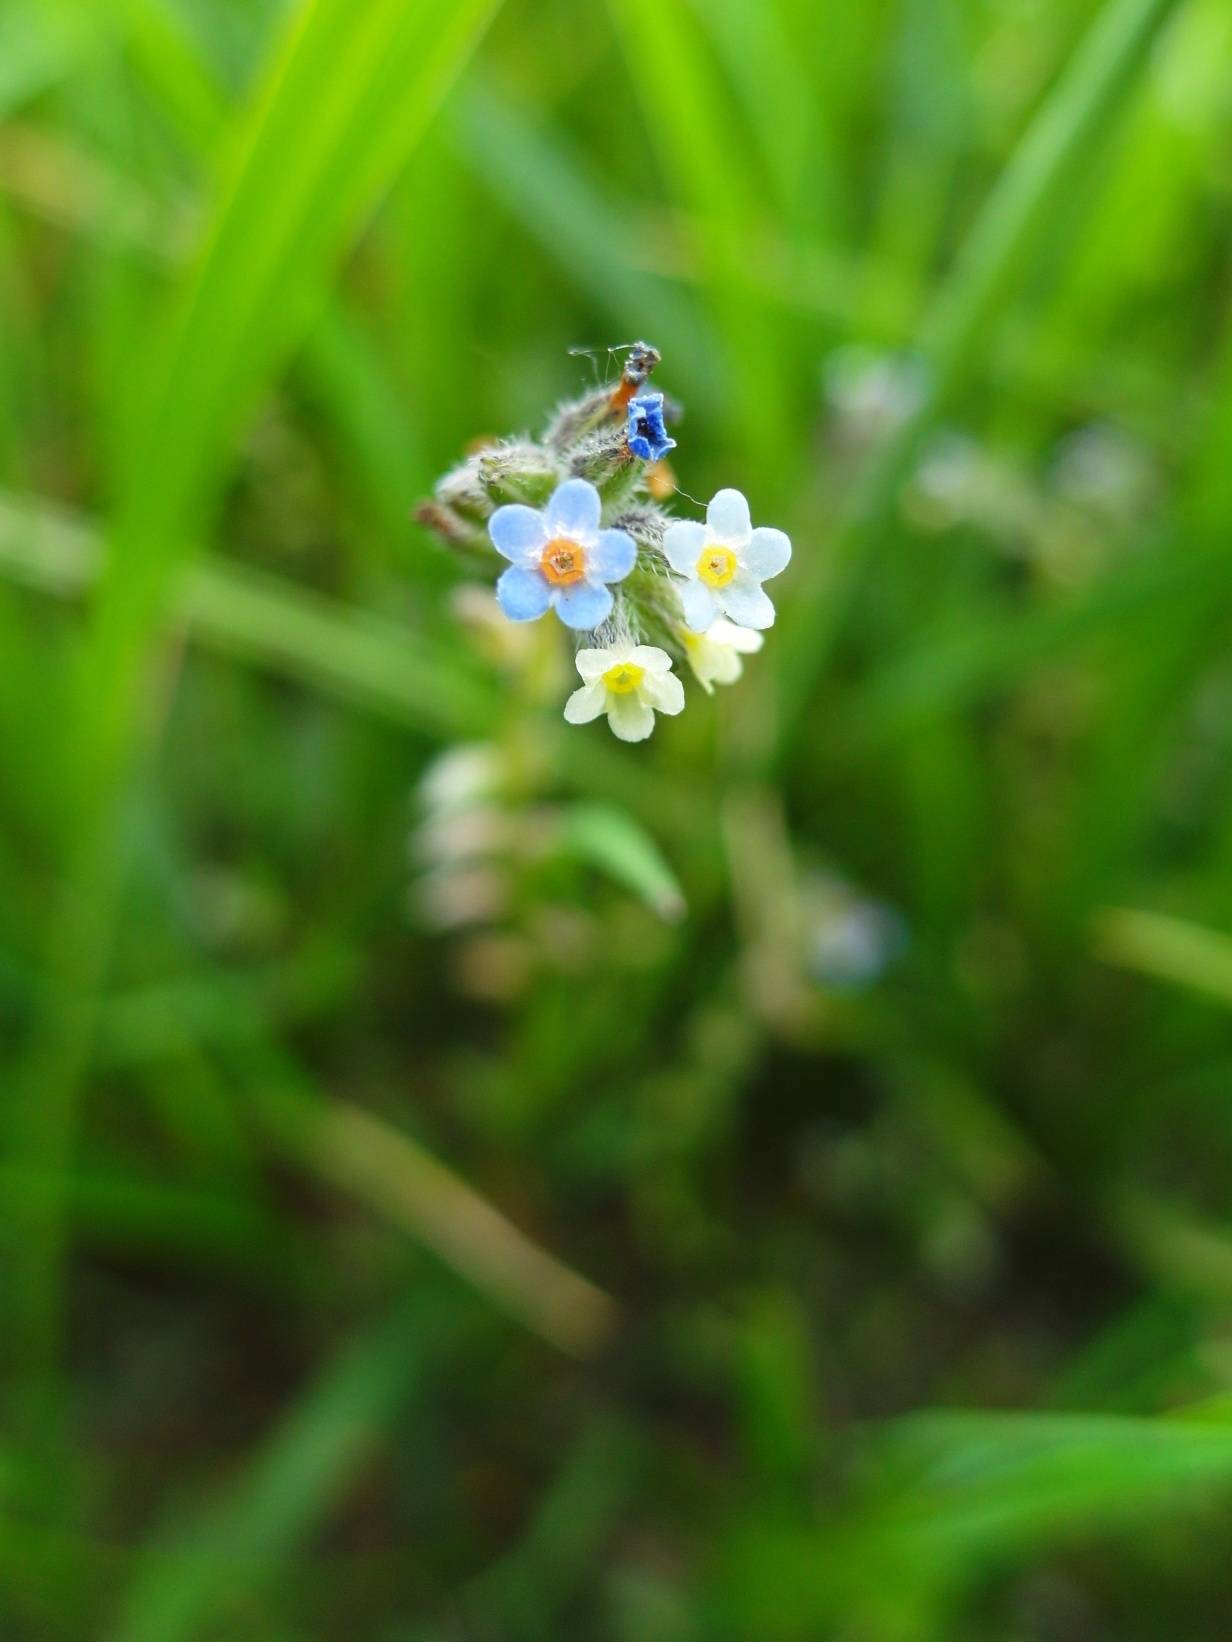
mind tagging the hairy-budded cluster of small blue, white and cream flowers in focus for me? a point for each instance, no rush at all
(577, 516)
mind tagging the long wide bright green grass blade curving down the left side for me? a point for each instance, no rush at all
(342, 104)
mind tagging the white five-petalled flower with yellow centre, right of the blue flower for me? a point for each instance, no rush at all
(725, 562)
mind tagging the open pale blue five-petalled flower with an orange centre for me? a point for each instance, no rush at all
(559, 559)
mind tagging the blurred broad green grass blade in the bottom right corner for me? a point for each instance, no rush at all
(952, 1497)
